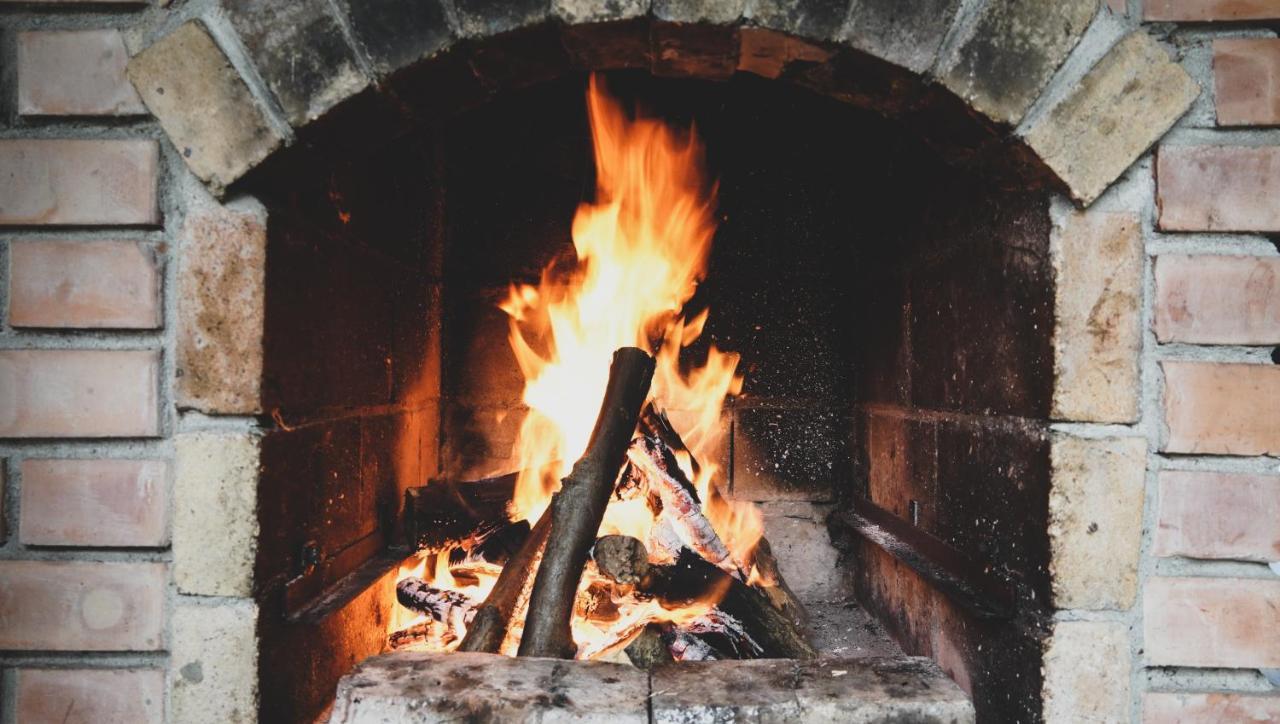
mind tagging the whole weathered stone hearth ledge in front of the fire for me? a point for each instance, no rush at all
(408, 688)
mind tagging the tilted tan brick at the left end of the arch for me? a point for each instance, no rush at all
(204, 106)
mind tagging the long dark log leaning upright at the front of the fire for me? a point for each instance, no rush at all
(578, 508)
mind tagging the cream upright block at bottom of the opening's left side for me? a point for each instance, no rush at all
(214, 662)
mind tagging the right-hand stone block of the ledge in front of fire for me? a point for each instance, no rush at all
(828, 690)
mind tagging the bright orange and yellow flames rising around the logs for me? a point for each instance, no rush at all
(642, 248)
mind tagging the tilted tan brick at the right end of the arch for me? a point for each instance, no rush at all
(1113, 116)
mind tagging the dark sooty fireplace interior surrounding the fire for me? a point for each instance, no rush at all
(892, 308)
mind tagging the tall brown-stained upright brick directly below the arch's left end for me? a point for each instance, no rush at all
(221, 310)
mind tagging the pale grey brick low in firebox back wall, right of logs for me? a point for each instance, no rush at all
(798, 537)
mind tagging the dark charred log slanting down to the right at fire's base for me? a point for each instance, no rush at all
(696, 580)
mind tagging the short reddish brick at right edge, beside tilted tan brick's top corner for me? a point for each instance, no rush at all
(1247, 81)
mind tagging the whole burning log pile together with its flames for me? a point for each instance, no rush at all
(678, 571)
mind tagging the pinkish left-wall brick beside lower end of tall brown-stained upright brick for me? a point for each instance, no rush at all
(79, 393)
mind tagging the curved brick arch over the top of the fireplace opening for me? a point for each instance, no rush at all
(984, 86)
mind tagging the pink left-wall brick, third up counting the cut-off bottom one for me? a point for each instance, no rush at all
(94, 503)
